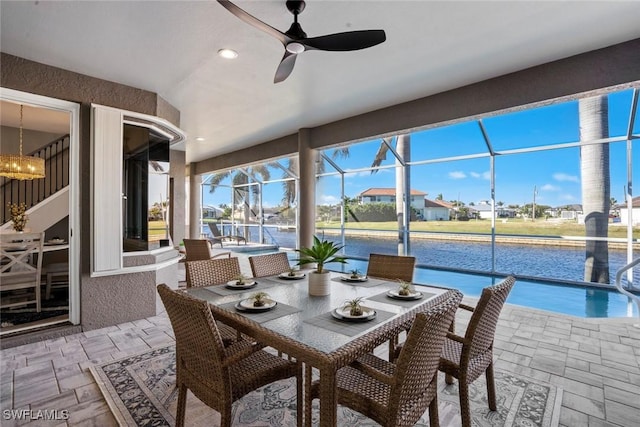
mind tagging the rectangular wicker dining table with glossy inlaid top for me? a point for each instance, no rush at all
(313, 329)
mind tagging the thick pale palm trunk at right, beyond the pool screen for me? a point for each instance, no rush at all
(594, 168)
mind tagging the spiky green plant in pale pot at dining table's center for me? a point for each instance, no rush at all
(322, 252)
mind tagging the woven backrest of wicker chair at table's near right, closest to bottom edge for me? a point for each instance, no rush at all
(417, 364)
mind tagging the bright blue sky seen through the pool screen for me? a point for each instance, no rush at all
(555, 174)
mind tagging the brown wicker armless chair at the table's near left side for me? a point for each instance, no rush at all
(215, 374)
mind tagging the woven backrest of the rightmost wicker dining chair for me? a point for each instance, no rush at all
(484, 320)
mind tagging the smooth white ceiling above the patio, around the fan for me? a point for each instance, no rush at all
(169, 47)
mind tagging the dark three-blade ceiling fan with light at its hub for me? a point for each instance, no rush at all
(295, 40)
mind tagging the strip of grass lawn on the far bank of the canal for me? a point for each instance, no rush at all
(512, 226)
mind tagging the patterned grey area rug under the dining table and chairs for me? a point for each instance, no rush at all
(140, 391)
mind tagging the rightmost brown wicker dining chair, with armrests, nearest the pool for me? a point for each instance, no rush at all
(467, 358)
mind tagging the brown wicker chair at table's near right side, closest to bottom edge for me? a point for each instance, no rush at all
(398, 394)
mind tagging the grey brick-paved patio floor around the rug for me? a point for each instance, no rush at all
(595, 361)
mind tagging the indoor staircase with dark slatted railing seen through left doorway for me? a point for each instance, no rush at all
(47, 199)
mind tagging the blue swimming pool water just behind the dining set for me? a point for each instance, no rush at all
(574, 300)
